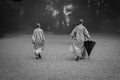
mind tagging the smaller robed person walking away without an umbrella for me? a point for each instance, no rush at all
(38, 39)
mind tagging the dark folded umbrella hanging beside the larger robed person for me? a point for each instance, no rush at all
(89, 45)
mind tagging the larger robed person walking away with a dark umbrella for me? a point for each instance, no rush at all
(79, 35)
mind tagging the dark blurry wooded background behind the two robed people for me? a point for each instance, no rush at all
(22, 15)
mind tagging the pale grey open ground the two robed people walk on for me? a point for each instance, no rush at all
(17, 59)
